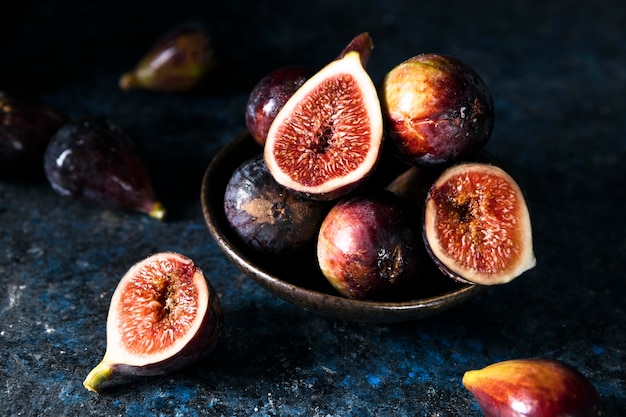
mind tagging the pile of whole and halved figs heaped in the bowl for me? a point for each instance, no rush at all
(382, 180)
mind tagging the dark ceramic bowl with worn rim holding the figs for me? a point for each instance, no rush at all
(299, 281)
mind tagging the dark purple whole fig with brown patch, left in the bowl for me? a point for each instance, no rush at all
(266, 216)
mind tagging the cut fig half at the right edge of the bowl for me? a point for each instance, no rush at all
(477, 225)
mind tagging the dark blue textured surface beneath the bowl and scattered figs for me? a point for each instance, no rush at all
(558, 77)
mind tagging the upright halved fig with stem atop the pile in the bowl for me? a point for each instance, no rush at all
(326, 140)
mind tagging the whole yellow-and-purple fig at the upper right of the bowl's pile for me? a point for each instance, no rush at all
(436, 109)
